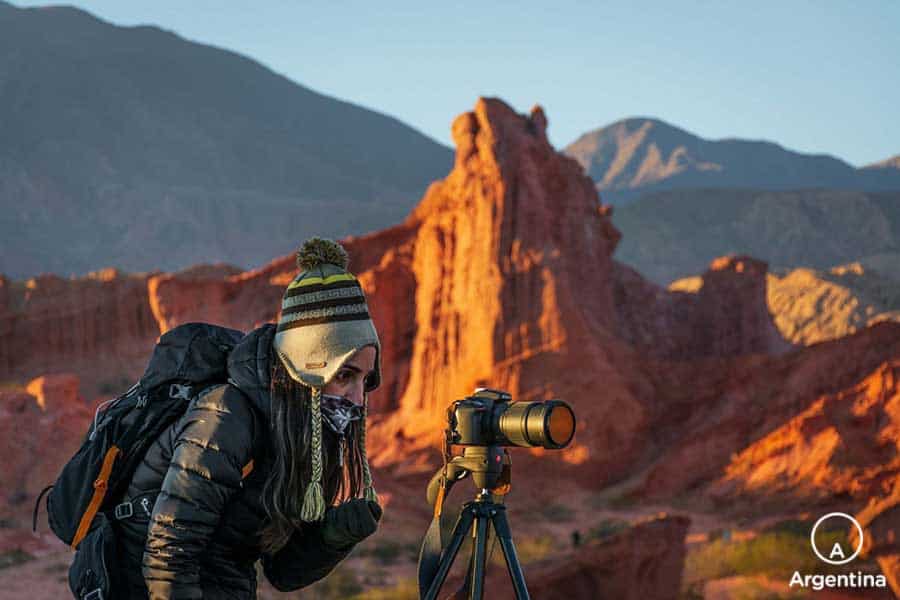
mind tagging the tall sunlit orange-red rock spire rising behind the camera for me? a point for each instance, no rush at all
(511, 262)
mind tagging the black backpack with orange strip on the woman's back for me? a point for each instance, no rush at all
(187, 361)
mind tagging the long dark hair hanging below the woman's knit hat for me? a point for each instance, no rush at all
(290, 431)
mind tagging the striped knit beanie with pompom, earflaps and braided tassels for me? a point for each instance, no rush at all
(324, 321)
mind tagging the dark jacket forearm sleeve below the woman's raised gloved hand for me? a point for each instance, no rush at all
(305, 559)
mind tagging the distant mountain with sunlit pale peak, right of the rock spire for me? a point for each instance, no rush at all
(633, 156)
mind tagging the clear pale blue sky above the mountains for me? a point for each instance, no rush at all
(817, 77)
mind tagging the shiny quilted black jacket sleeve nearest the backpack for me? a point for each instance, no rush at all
(213, 443)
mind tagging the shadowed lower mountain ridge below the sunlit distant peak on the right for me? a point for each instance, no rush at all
(675, 233)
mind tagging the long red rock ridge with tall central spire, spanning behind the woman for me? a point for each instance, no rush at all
(502, 276)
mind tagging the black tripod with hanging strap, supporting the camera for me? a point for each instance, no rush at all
(489, 466)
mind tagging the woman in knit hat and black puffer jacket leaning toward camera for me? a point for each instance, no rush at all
(254, 468)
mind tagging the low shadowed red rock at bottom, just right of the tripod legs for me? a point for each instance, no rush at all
(643, 561)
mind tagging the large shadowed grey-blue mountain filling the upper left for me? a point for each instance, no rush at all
(134, 148)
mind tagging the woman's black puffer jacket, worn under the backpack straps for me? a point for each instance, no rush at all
(194, 531)
